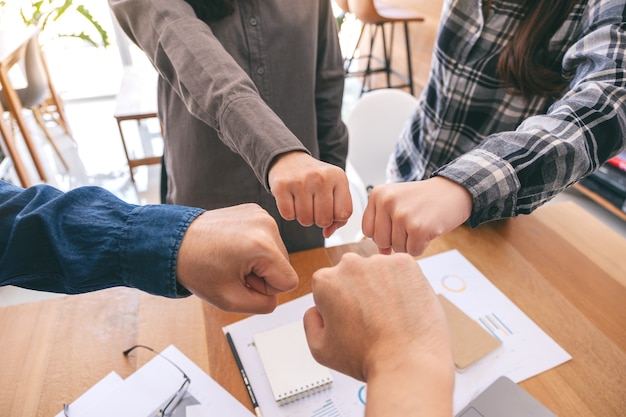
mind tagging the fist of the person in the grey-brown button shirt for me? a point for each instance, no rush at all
(311, 191)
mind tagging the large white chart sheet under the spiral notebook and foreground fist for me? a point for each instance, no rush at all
(526, 350)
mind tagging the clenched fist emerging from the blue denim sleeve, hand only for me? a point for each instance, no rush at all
(235, 259)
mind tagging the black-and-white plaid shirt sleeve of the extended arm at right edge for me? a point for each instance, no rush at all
(515, 172)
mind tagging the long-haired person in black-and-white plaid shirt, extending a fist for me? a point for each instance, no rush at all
(524, 99)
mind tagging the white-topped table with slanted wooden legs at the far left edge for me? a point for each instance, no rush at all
(12, 47)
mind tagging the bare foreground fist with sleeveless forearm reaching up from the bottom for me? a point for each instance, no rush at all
(378, 320)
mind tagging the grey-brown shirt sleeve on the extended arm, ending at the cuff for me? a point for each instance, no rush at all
(214, 88)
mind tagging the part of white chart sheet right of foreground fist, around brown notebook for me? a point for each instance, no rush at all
(526, 350)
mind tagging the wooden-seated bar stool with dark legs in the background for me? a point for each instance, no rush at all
(375, 15)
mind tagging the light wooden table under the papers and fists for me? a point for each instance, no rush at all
(562, 267)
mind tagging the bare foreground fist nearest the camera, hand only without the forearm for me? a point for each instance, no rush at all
(372, 309)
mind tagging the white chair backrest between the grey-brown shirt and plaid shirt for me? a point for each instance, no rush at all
(374, 125)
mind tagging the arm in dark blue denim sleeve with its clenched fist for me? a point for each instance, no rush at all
(87, 239)
